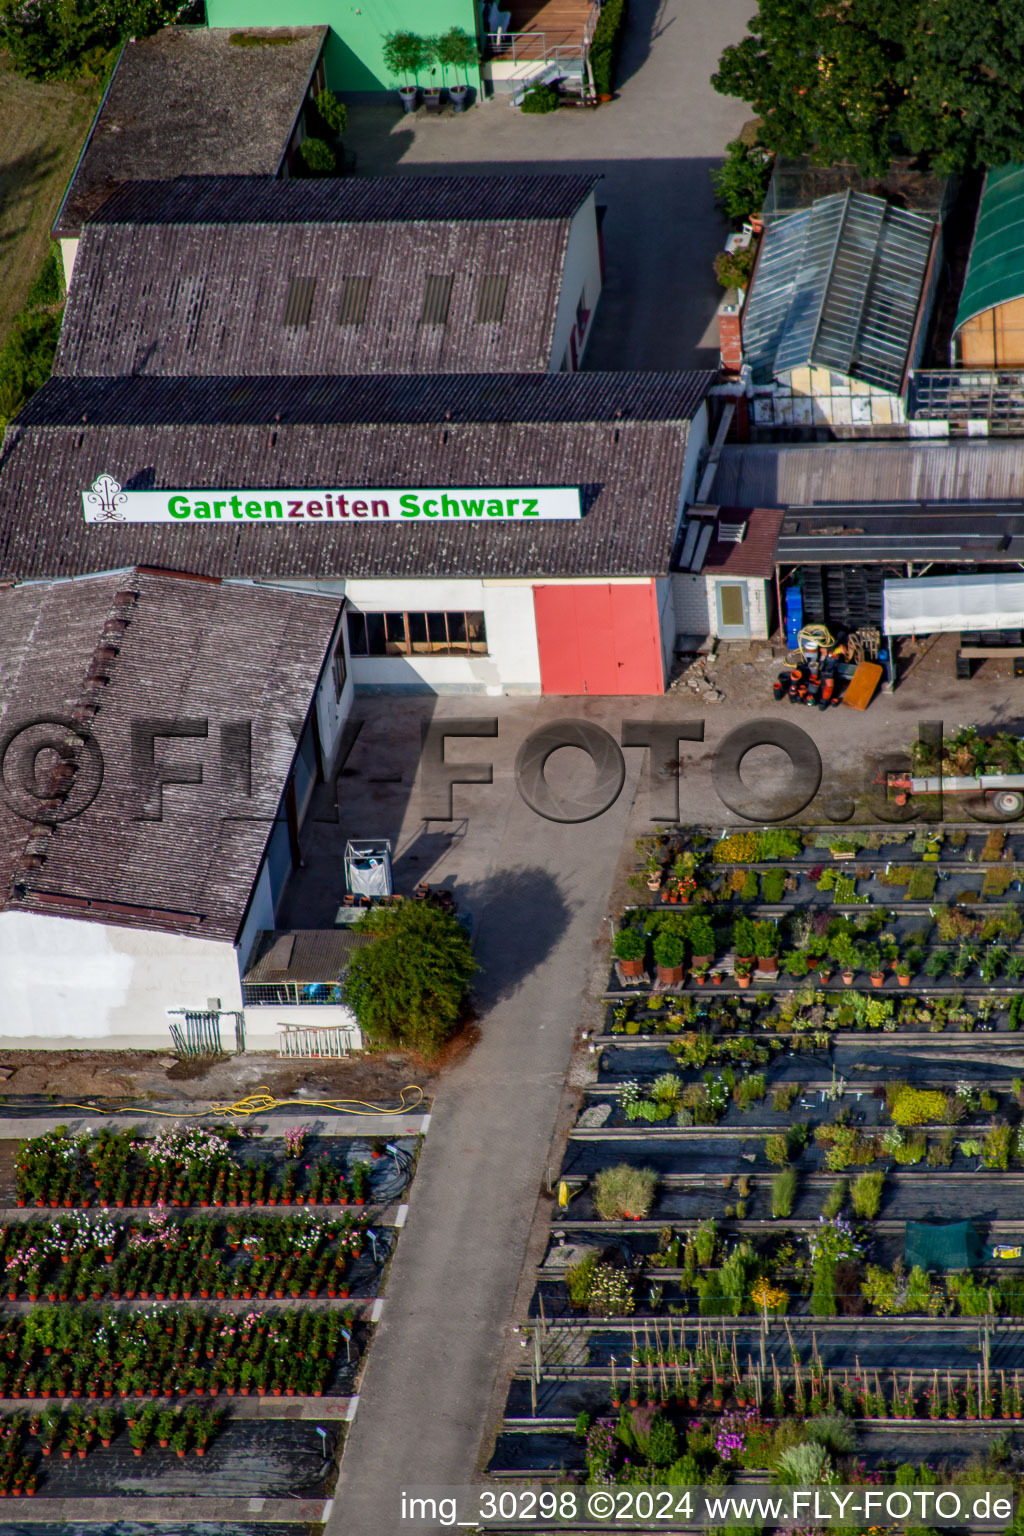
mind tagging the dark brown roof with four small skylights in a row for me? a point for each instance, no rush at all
(196, 294)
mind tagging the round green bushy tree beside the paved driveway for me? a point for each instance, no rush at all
(409, 987)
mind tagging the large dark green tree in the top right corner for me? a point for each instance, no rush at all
(868, 81)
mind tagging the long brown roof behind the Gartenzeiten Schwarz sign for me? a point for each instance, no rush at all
(621, 437)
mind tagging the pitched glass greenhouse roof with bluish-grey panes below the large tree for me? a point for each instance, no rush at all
(839, 286)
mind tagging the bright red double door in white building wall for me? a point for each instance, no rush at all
(600, 638)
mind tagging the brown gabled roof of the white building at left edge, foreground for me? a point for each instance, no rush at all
(190, 650)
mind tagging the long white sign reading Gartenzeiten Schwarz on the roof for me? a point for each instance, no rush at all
(105, 502)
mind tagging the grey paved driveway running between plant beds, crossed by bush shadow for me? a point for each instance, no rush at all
(538, 893)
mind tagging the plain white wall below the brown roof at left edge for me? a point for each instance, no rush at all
(68, 984)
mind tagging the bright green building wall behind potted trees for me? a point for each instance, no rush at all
(357, 33)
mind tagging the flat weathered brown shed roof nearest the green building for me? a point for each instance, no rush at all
(190, 101)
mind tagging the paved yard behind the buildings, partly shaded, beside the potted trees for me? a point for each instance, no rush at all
(655, 147)
